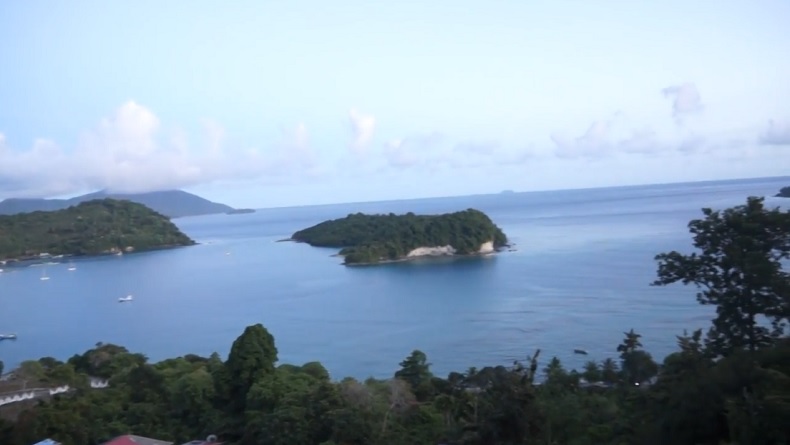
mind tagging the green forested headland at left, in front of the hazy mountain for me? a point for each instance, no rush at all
(93, 227)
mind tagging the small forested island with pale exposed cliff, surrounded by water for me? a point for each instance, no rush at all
(372, 239)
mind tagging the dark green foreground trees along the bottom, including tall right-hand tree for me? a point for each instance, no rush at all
(730, 385)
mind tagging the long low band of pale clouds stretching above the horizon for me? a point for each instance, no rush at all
(131, 151)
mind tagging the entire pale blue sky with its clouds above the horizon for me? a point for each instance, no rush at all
(264, 104)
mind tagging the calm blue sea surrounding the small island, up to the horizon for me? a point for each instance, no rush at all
(579, 279)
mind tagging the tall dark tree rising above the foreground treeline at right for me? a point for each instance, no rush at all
(739, 270)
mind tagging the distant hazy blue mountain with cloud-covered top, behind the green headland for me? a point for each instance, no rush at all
(171, 203)
